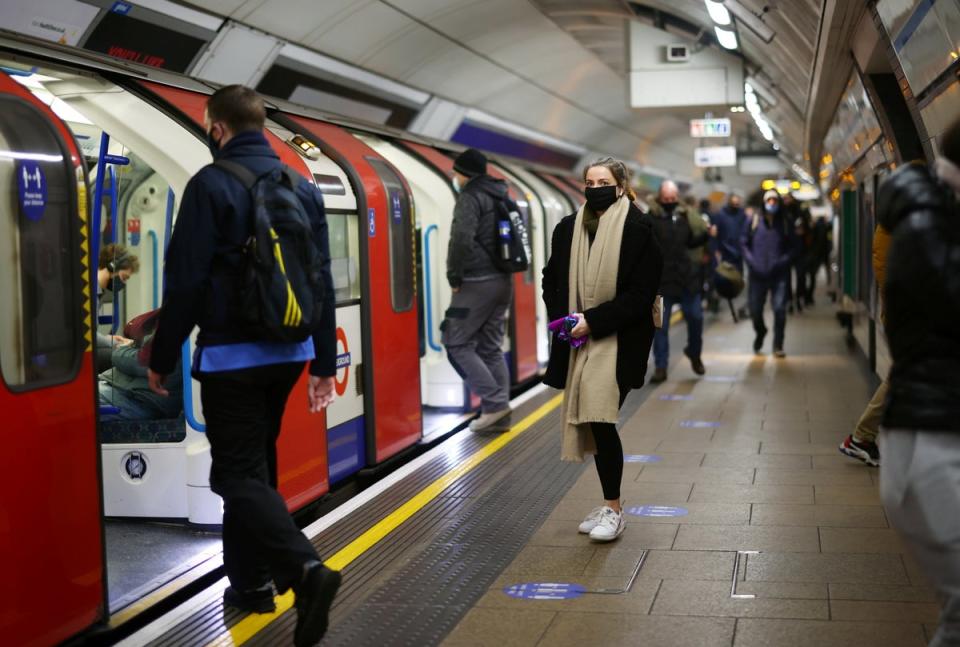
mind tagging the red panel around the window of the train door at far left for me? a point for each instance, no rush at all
(50, 524)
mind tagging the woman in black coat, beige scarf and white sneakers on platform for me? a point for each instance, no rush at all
(604, 272)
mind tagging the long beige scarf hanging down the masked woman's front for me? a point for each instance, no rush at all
(592, 393)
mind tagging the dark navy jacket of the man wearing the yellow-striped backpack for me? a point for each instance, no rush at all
(204, 260)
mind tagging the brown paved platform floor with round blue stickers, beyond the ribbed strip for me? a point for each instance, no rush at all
(761, 472)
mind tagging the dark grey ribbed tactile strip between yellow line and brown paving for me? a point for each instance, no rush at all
(429, 594)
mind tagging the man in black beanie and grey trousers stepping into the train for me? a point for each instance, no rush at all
(475, 323)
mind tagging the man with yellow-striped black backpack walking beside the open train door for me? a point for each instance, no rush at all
(249, 359)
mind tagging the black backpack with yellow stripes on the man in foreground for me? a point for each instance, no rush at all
(281, 290)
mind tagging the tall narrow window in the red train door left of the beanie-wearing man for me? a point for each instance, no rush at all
(399, 207)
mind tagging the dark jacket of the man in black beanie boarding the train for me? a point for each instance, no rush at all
(473, 235)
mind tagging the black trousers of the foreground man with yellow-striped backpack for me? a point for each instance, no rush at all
(243, 410)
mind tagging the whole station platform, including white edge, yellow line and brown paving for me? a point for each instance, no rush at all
(747, 527)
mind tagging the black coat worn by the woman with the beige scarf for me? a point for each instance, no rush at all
(628, 315)
